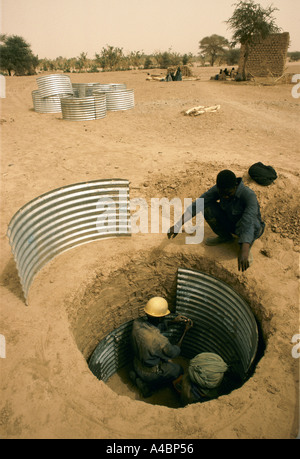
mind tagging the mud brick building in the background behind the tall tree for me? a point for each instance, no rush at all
(267, 57)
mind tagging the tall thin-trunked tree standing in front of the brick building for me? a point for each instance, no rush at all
(250, 24)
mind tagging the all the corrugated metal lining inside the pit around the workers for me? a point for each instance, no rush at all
(223, 323)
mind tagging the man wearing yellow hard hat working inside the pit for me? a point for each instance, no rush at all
(153, 352)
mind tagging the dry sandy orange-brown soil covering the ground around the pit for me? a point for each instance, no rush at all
(47, 389)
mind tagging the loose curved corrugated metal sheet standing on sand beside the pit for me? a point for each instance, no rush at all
(64, 218)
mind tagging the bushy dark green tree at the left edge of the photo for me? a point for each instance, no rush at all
(16, 56)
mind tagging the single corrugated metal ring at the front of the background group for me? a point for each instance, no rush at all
(84, 108)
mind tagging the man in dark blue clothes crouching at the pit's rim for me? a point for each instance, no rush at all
(230, 208)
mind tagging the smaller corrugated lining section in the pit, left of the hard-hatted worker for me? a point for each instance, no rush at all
(114, 351)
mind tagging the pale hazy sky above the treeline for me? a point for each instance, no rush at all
(69, 27)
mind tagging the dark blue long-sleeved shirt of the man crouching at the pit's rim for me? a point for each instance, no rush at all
(243, 211)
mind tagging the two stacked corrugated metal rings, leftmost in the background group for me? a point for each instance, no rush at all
(47, 99)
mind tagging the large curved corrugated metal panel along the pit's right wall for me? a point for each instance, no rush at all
(223, 321)
